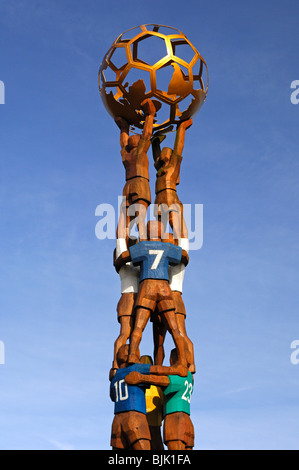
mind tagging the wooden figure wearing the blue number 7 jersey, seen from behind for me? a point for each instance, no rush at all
(154, 256)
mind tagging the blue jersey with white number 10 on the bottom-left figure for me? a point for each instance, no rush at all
(129, 397)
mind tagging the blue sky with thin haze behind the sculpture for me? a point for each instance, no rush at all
(60, 159)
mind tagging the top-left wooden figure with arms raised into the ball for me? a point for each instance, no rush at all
(134, 157)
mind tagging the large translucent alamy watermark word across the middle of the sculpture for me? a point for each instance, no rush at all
(106, 227)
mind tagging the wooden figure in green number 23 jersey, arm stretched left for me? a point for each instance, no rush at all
(178, 429)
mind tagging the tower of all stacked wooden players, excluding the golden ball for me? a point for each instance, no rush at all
(151, 268)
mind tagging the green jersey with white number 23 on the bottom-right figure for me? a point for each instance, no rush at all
(177, 395)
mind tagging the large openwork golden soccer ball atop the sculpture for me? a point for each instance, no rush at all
(157, 62)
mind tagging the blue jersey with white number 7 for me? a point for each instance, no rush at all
(154, 258)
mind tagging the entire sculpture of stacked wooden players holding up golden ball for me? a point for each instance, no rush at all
(151, 268)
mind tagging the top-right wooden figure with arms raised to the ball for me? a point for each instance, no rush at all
(167, 164)
